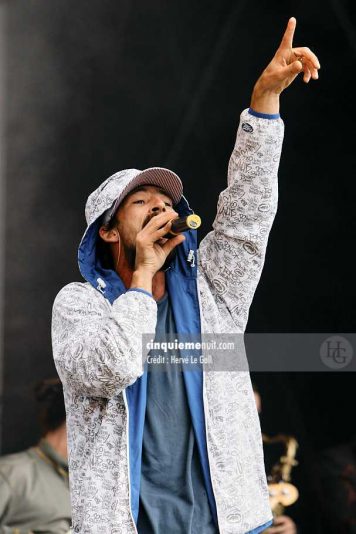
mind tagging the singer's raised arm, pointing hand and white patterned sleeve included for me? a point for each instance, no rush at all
(231, 257)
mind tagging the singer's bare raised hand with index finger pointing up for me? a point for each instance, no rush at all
(287, 63)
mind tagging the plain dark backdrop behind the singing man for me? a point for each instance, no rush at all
(97, 86)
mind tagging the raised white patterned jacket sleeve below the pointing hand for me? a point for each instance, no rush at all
(231, 256)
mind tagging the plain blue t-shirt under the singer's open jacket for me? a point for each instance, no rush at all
(173, 498)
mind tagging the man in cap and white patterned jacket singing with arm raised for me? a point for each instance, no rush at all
(174, 452)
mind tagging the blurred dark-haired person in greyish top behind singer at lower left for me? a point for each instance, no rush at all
(34, 488)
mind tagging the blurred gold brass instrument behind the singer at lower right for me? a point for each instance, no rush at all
(281, 492)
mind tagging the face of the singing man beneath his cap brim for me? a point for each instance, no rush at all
(136, 210)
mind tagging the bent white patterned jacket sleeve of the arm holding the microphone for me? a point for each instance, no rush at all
(97, 347)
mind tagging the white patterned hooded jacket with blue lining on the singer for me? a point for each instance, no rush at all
(97, 332)
